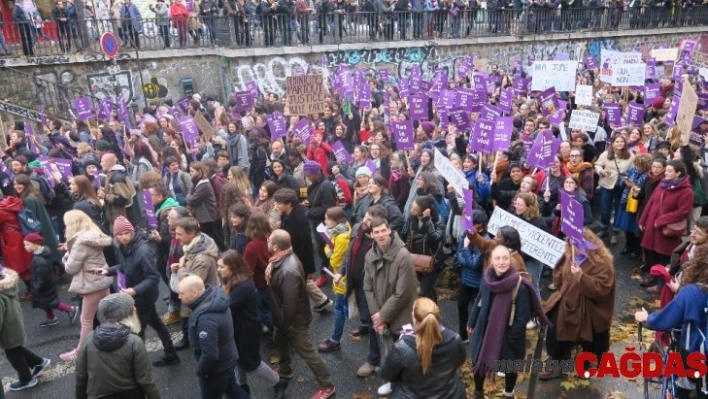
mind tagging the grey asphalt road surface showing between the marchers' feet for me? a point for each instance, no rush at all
(179, 381)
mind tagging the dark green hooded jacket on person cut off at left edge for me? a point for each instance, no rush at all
(12, 331)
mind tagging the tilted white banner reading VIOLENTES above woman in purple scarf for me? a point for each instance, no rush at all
(535, 242)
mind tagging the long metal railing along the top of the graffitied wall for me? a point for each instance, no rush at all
(54, 39)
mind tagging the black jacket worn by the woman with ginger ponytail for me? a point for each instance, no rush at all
(402, 367)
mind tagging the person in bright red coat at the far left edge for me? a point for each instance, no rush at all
(14, 255)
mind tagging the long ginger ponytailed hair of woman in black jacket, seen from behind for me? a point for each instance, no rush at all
(427, 335)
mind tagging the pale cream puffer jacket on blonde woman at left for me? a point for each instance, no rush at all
(85, 253)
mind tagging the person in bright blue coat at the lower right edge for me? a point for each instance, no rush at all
(689, 312)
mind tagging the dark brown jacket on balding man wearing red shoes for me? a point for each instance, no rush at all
(289, 302)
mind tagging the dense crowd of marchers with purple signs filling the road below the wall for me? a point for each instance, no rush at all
(249, 225)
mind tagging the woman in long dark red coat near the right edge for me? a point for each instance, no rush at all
(671, 202)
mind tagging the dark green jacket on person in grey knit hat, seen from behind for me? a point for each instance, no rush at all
(112, 361)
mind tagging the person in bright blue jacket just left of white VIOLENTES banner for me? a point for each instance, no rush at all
(471, 261)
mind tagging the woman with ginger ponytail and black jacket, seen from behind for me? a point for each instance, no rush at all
(424, 362)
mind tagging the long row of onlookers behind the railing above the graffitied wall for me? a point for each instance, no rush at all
(181, 23)
